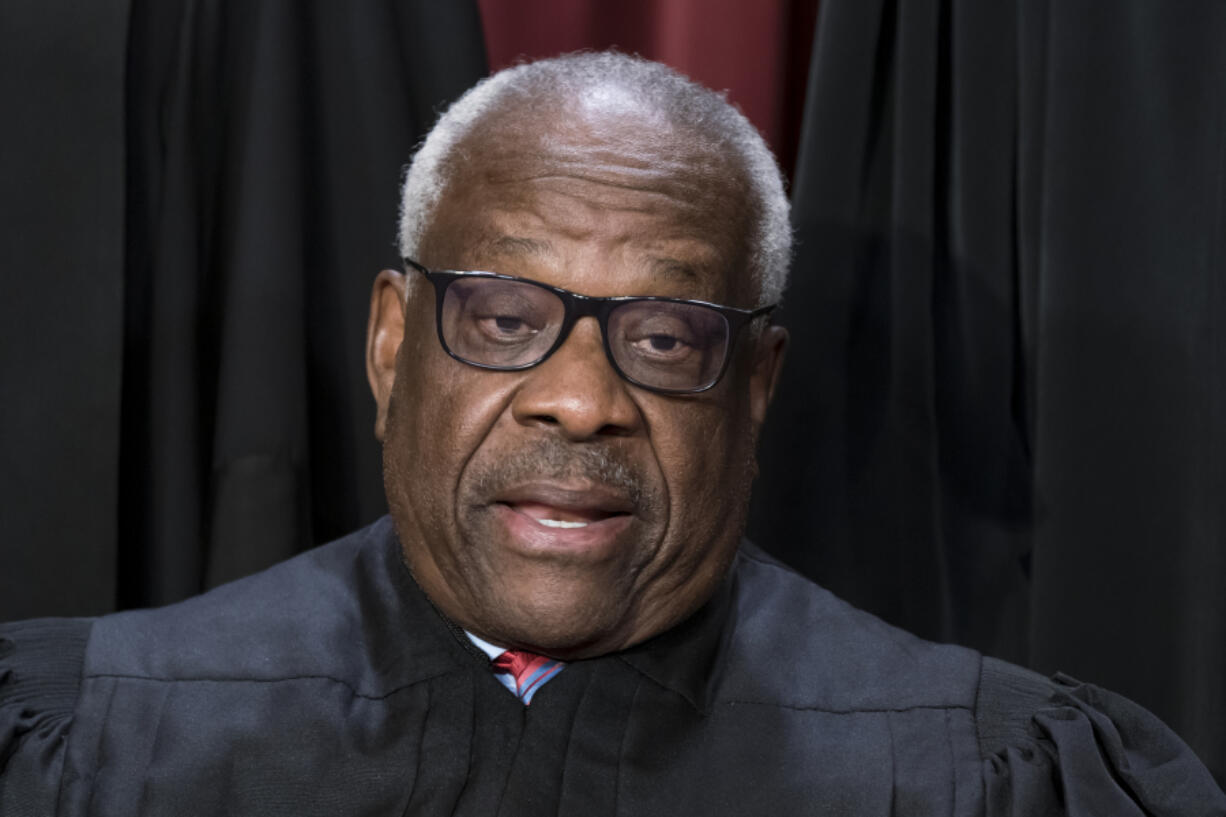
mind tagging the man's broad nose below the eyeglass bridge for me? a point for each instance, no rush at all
(578, 392)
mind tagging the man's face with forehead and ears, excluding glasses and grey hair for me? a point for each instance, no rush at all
(561, 508)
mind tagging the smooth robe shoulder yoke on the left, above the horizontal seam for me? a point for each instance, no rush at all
(329, 614)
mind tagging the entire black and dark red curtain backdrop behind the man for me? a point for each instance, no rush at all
(1002, 420)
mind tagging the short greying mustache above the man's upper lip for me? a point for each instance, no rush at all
(554, 461)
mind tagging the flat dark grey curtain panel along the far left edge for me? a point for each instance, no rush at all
(62, 291)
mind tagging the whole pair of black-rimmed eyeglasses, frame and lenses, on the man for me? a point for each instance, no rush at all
(504, 323)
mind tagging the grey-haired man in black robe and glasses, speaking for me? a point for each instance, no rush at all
(560, 618)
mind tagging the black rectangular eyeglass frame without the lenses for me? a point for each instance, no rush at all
(577, 306)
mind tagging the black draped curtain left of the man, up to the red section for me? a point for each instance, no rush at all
(199, 194)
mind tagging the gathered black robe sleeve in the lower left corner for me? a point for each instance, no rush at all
(41, 665)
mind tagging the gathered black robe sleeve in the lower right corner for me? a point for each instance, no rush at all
(1056, 746)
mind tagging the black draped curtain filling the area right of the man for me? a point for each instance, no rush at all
(1003, 421)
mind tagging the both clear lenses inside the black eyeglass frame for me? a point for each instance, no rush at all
(512, 324)
